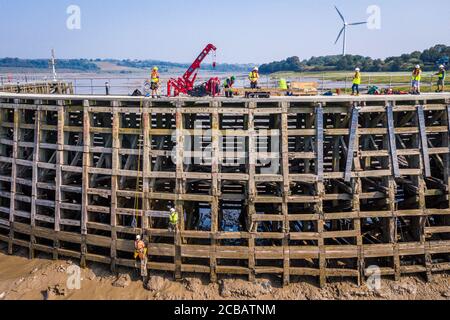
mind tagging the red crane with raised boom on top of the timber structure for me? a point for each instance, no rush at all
(186, 83)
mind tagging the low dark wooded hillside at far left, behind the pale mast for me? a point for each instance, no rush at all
(71, 64)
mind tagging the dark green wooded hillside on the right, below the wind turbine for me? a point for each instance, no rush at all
(428, 59)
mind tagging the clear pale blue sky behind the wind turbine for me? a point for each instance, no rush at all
(244, 31)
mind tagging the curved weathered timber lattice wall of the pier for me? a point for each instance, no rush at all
(357, 182)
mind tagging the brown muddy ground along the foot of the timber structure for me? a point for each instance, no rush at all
(43, 279)
